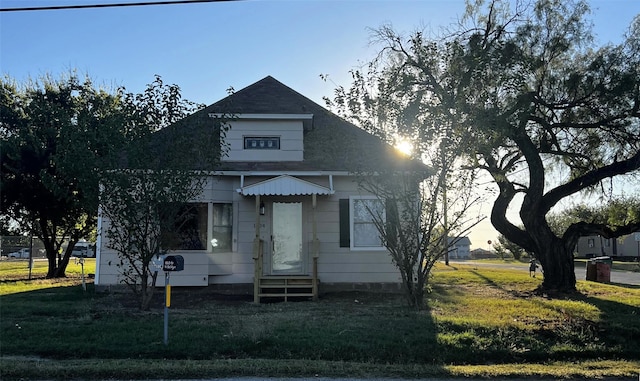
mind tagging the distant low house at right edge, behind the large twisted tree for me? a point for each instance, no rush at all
(627, 246)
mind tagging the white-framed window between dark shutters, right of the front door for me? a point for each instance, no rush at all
(364, 233)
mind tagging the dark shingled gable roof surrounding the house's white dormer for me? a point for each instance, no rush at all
(330, 142)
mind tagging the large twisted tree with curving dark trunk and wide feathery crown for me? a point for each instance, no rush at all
(547, 115)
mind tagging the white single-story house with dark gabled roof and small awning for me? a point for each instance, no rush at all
(283, 214)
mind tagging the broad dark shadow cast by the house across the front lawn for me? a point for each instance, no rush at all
(358, 327)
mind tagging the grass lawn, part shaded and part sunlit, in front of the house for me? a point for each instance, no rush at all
(479, 322)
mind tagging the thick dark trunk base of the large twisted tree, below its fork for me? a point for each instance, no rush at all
(558, 268)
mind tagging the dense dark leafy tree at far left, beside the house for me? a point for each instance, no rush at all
(54, 134)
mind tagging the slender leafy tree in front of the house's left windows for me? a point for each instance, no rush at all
(164, 165)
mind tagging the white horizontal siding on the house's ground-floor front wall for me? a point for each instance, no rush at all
(335, 264)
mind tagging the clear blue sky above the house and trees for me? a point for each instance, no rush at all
(205, 48)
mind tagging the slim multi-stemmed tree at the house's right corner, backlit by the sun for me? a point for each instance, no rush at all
(424, 214)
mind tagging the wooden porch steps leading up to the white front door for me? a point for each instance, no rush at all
(286, 287)
